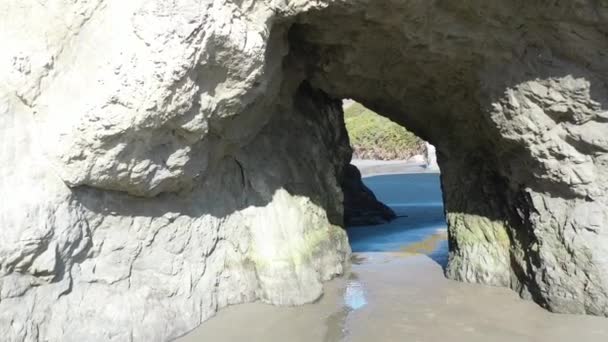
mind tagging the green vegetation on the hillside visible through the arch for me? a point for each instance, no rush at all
(375, 137)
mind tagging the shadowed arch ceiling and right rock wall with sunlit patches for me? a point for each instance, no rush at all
(514, 96)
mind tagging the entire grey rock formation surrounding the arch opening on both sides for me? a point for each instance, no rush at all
(161, 160)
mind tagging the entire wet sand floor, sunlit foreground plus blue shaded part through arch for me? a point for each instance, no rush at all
(396, 291)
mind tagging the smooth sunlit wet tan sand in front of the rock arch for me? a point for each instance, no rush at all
(398, 297)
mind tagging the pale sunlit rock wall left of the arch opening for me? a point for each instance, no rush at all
(158, 163)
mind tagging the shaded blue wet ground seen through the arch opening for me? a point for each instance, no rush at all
(420, 227)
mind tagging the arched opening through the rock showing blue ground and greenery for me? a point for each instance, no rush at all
(392, 194)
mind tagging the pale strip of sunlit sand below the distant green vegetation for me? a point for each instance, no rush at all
(371, 168)
